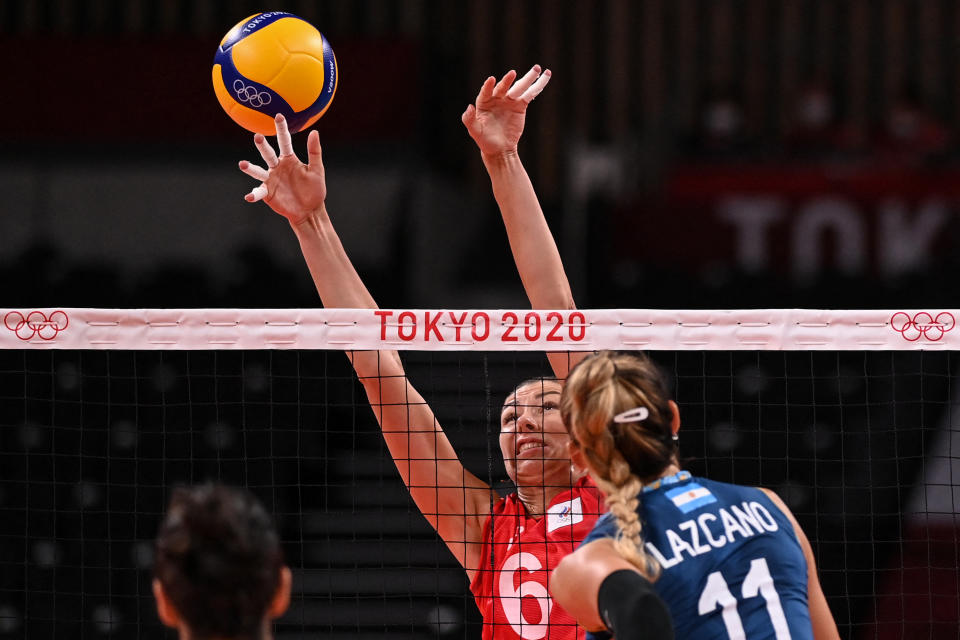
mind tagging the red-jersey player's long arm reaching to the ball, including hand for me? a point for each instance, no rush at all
(453, 500)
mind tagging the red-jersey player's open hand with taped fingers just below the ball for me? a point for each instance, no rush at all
(291, 188)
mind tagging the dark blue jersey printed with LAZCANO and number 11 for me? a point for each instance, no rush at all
(732, 565)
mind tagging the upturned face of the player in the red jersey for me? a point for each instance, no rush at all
(533, 439)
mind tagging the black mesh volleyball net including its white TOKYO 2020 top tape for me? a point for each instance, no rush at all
(848, 415)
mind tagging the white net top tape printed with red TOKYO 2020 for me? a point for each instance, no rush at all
(479, 330)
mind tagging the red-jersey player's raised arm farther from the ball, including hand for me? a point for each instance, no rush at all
(495, 122)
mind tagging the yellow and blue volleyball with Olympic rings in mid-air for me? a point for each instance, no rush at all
(272, 63)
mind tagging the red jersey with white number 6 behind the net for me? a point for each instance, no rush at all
(519, 552)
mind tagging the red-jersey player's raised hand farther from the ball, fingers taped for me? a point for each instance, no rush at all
(495, 121)
